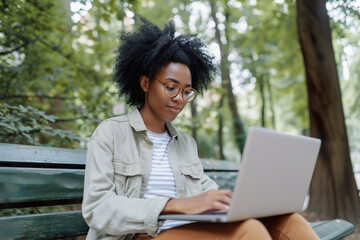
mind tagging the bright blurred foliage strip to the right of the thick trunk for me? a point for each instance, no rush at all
(345, 25)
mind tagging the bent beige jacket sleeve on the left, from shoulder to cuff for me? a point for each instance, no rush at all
(104, 210)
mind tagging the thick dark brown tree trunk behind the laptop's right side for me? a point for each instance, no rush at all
(333, 192)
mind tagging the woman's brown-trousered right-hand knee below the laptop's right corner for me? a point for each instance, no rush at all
(290, 226)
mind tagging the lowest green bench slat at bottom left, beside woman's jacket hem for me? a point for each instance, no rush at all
(43, 226)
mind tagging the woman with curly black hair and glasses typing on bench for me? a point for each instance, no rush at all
(140, 166)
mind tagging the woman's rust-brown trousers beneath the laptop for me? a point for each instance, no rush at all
(291, 226)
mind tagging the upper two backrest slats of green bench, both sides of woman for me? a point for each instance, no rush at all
(42, 176)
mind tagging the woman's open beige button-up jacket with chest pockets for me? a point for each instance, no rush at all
(117, 171)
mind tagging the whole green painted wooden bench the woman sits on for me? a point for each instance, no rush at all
(32, 176)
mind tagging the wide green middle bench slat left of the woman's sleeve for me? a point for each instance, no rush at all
(31, 185)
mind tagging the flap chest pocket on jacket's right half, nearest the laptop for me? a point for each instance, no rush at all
(192, 174)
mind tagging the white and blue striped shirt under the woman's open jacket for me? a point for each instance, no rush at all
(162, 181)
